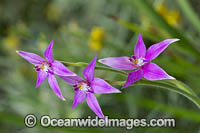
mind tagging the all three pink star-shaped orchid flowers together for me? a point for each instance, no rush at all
(87, 87)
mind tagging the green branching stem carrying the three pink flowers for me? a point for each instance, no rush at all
(172, 85)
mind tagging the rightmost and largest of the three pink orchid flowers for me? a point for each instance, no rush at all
(141, 61)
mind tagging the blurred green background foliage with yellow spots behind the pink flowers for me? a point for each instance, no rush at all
(83, 28)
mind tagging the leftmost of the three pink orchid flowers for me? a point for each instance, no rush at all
(48, 68)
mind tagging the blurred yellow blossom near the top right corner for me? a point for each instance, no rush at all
(171, 16)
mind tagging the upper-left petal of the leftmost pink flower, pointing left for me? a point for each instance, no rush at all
(31, 57)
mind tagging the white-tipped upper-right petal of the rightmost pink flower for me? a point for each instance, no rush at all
(158, 48)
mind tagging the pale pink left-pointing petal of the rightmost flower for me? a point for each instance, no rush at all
(122, 63)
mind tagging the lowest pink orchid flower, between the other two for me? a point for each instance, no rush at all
(85, 89)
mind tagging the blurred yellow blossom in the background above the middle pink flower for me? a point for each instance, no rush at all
(96, 38)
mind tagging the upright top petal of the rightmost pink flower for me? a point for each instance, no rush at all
(140, 48)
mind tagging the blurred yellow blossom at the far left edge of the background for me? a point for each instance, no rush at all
(11, 42)
